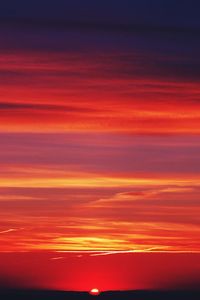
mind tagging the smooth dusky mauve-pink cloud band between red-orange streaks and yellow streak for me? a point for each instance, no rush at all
(100, 153)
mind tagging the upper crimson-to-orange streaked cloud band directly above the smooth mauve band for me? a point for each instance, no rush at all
(144, 92)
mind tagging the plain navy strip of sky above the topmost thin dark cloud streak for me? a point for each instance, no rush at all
(178, 13)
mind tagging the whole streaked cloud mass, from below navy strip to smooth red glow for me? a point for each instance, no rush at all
(99, 137)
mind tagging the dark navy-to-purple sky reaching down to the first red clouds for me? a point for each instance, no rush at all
(163, 33)
